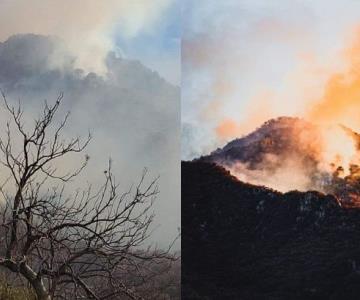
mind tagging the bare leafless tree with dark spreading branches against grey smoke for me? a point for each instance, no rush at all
(80, 245)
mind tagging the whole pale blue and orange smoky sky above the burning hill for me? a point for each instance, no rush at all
(247, 61)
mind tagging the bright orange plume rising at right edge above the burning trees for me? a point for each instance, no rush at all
(340, 104)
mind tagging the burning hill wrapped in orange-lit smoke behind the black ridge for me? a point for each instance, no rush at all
(293, 154)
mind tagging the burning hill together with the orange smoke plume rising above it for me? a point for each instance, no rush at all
(323, 156)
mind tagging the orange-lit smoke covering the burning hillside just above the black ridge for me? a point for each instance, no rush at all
(318, 156)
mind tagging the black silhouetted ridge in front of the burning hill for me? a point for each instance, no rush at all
(241, 241)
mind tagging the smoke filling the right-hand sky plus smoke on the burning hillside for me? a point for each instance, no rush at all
(274, 62)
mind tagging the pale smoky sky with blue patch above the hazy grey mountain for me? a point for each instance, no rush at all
(141, 29)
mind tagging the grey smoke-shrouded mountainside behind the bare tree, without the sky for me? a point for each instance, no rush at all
(132, 113)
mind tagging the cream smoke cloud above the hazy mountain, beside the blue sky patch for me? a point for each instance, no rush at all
(86, 26)
